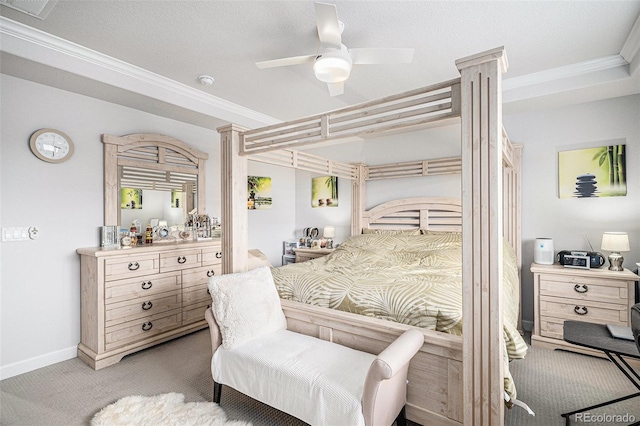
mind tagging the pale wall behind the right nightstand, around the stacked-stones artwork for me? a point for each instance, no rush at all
(565, 220)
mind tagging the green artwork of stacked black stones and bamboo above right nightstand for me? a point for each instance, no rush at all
(592, 172)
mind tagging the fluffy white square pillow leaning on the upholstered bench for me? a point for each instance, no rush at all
(246, 305)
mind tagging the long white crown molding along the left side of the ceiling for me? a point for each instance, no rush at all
(37, 46)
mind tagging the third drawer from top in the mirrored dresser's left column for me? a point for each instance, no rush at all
(129, 310)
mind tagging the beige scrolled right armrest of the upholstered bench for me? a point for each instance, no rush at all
(385, 387)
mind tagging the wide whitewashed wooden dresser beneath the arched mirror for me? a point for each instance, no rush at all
(132, 299)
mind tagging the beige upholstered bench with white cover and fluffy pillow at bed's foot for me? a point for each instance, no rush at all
(341, 385)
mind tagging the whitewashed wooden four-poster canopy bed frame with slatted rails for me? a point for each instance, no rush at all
(488, 210)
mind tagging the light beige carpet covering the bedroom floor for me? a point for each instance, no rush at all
(71, 393)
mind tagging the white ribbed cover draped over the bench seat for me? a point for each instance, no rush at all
(319, 382)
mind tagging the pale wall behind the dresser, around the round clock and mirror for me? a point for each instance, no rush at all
(40, 288)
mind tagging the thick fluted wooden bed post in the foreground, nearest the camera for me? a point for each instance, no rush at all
(481, 118)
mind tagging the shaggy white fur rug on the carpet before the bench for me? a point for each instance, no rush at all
(168, 409)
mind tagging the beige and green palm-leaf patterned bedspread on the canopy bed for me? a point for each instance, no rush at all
(410, 279)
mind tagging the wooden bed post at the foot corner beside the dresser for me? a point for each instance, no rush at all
(234, 215)
